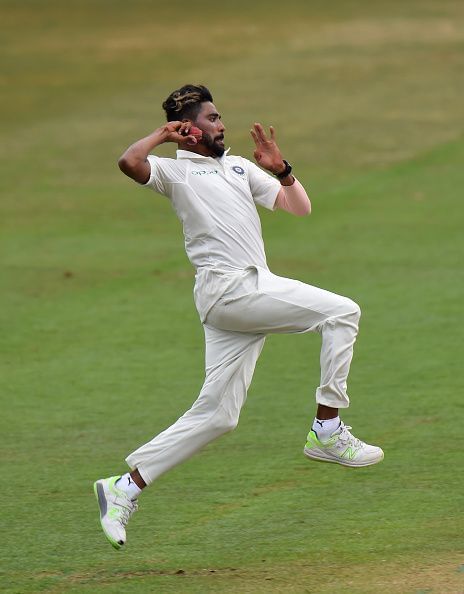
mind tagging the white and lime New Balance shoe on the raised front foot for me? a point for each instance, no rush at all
(342, 448)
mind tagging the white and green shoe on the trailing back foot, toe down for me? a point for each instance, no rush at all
(115, 510)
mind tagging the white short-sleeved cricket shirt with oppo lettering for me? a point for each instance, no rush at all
(215, 200)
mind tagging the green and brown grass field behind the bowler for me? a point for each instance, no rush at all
(101, 347)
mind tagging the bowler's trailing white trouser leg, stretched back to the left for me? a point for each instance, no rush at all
(230, 362)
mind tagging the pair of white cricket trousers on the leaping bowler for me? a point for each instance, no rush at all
(256, 303)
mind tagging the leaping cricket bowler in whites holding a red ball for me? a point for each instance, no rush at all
(239, 301)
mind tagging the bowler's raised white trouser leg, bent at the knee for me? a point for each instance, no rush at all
(280, 305)
